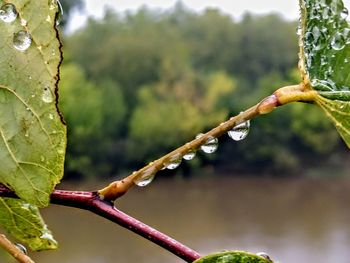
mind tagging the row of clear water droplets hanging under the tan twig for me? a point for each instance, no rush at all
(237, 133)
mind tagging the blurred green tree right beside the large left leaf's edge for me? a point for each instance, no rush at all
(94, 114)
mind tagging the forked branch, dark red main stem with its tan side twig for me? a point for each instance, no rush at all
(100, 202)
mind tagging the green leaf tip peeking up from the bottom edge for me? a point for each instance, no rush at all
(233, 257)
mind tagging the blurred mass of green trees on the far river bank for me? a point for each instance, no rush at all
(135, 86)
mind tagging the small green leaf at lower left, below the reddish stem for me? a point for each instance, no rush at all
(24, 222)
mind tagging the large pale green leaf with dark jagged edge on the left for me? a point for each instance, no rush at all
(32, 135)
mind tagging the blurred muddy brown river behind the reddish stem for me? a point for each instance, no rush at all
(292, 219)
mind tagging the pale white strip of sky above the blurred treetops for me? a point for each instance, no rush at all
(288, 8)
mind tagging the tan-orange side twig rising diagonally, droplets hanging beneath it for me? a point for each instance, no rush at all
(280, 97)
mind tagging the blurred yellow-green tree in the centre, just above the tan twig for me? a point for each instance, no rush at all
(175, 110)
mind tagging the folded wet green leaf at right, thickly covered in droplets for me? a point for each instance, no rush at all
(325, 58)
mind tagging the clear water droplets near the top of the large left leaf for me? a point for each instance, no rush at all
(22, 40)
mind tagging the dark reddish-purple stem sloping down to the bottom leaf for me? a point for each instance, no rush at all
(91, 201)
